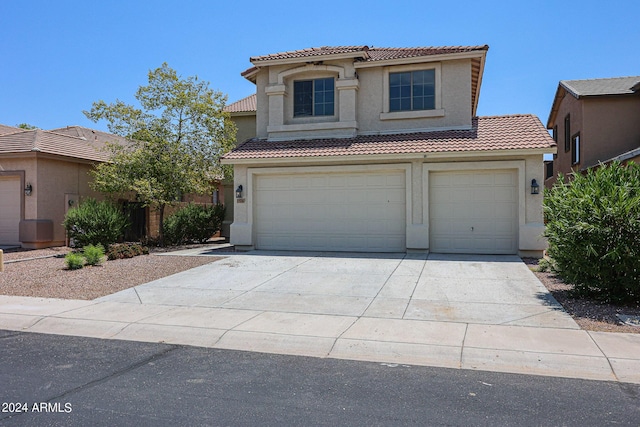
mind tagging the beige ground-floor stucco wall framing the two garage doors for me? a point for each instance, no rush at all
(528, 167)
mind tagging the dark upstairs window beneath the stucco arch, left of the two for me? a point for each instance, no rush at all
(313, 97)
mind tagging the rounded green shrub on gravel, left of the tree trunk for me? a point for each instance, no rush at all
(93, 223)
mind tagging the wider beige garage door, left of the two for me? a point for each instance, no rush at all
(331, 212)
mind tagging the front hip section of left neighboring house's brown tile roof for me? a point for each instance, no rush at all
(42, 141)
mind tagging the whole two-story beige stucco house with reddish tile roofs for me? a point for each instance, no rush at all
(380, 150)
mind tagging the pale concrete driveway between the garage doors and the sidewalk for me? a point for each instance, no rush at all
(498, 290)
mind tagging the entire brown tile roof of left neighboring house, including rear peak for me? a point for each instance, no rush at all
(75, 146)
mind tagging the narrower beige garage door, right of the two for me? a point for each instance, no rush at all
(473, 212)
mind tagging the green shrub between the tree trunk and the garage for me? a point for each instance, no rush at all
(193, 224)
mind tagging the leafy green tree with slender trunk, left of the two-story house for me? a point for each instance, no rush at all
(176, 140)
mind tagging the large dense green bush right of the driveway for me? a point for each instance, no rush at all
(593, 227)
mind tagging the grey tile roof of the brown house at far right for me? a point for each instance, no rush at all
(615, 86)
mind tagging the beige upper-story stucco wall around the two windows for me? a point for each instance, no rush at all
(361, 100)
